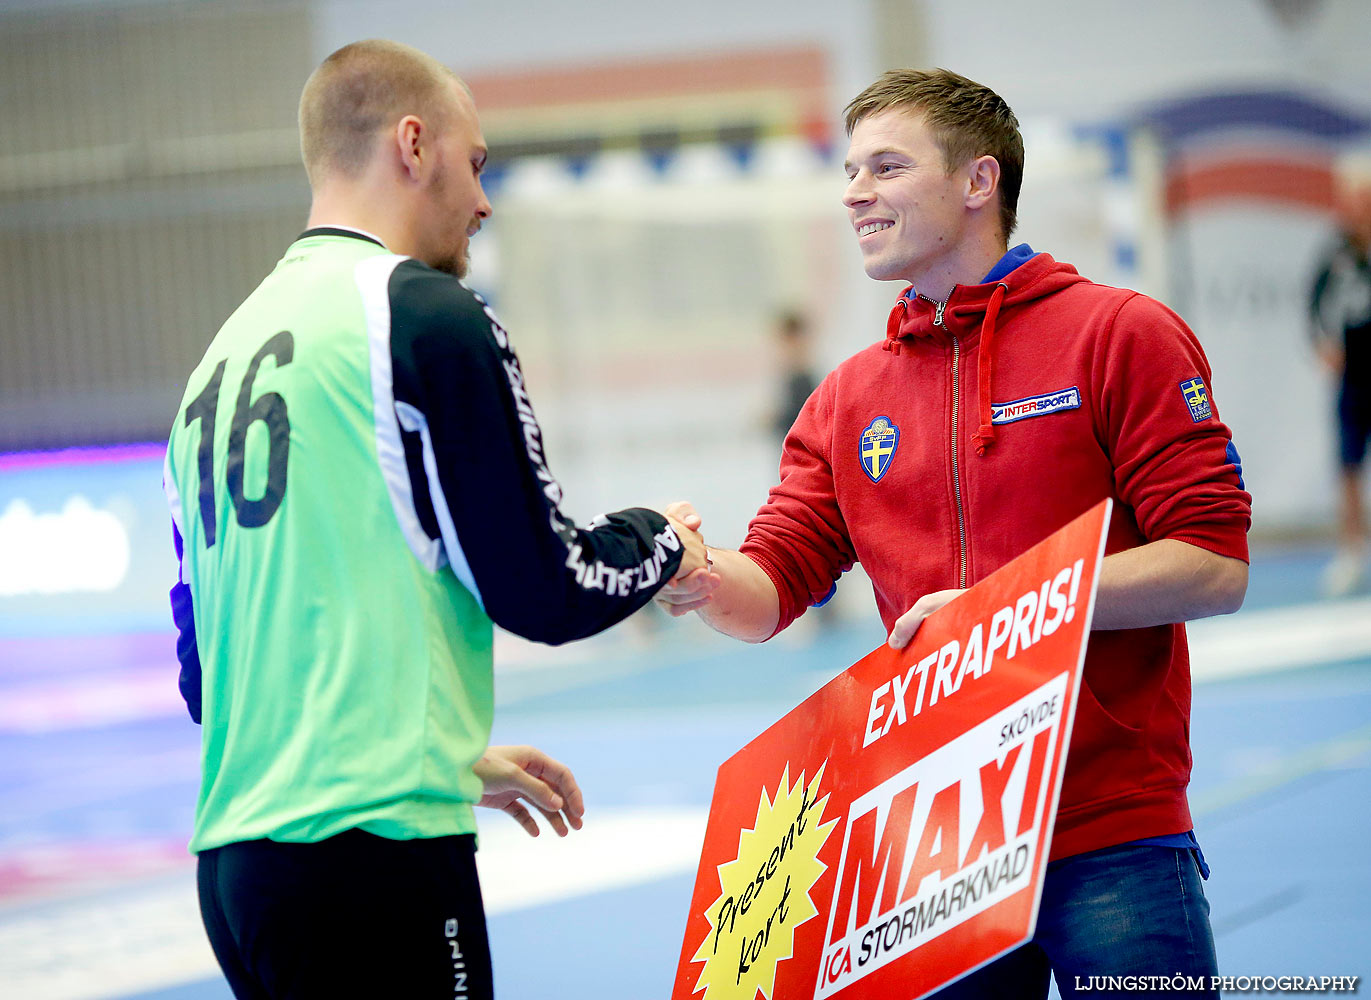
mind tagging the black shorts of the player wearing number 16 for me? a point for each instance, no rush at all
(352, 917)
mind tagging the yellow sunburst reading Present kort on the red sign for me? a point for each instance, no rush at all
(766, 892)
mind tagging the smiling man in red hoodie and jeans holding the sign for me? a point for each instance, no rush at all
(1008, 397)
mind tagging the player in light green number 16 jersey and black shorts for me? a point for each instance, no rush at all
(360, 492)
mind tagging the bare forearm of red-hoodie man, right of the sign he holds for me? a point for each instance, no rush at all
(1165, 582)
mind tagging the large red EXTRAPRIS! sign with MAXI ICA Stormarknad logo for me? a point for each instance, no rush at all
(890, 835)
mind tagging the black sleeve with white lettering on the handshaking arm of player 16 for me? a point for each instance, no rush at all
(481, 481)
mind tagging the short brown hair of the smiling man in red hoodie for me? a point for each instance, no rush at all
(967, 119)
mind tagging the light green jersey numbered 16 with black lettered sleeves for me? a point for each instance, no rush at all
(359, 489)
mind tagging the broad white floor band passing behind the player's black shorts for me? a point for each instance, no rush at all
(151, 939)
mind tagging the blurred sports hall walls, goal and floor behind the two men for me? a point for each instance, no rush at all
(666, 179)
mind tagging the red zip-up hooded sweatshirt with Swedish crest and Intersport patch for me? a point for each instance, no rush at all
(1018, 407)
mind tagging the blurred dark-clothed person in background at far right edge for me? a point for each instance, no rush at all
(1340, 312)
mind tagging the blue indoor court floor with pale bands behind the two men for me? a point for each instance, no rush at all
(98, 781)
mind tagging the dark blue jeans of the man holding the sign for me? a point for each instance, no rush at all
(1125, 912)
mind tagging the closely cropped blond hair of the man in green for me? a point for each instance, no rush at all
(359, 93)
